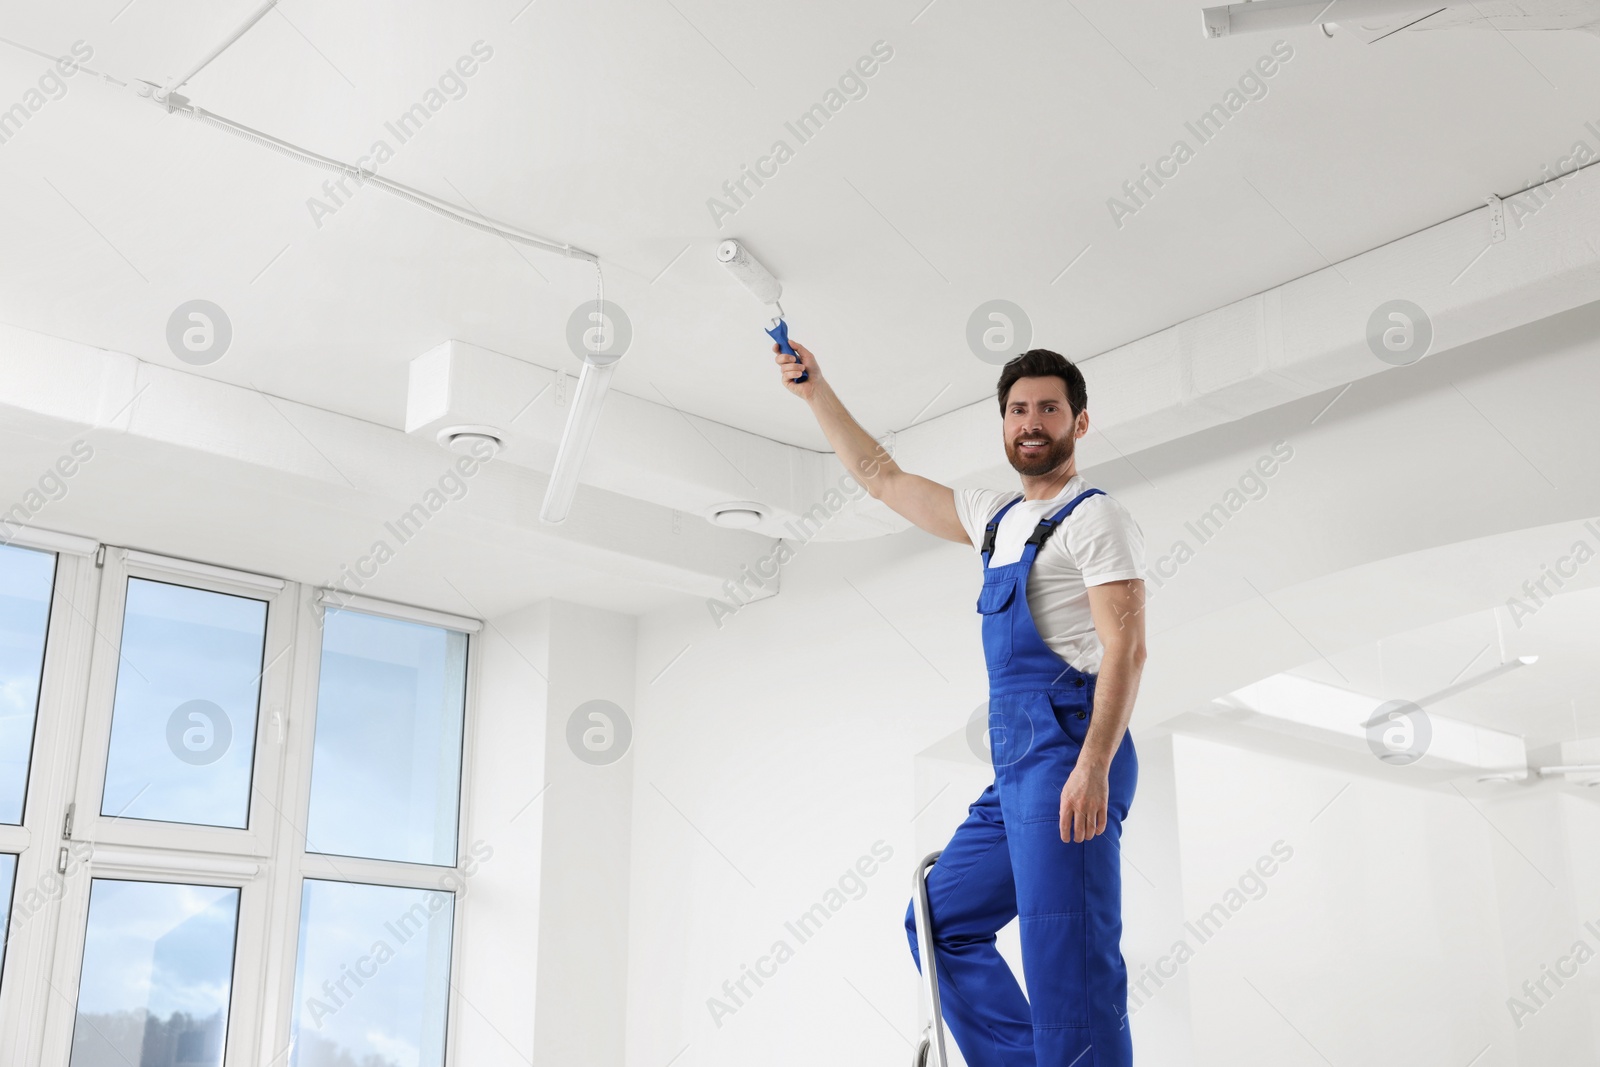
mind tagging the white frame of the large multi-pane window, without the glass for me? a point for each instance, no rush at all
(266, 863)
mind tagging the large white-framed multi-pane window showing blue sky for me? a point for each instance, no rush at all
(230, 820)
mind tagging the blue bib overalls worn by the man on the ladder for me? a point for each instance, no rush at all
(1007, 860)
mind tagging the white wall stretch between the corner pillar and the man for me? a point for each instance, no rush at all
(785, 743)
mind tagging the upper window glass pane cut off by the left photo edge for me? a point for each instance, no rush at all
(26, 580)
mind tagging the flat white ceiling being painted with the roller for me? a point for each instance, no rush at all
(977, 167)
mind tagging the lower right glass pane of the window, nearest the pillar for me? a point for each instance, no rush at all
(372, 981)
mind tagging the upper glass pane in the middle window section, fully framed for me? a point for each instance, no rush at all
(183, 730)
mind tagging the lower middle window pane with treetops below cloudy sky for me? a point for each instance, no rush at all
(158, 975)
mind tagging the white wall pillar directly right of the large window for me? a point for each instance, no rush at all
(546, 917)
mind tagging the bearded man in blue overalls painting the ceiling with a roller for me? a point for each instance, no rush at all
(1063, 623)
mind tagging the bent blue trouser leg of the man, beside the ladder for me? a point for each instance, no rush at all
(972, 897)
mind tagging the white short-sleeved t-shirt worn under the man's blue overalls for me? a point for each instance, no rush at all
(1098, 543)
